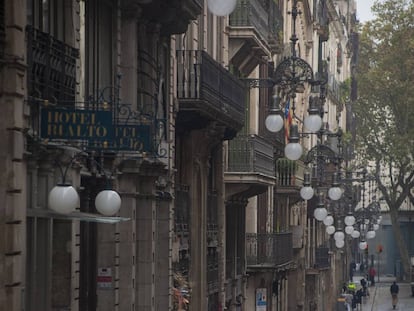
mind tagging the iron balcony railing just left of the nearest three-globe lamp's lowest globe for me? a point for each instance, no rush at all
(251, 153)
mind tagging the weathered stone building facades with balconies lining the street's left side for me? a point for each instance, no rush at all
(164, 103)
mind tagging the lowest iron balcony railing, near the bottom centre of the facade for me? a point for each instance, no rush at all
(272, 249)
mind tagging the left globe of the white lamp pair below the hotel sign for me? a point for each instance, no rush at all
(63, 199)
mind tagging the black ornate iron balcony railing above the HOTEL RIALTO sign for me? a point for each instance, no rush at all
(52, 67)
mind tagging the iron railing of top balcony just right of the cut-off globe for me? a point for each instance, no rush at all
(264, 16)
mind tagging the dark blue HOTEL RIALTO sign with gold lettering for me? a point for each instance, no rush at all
(95, 128)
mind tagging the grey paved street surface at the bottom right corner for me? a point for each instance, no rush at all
(380, 297)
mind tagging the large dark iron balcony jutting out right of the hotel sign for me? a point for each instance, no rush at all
(207, 92)
